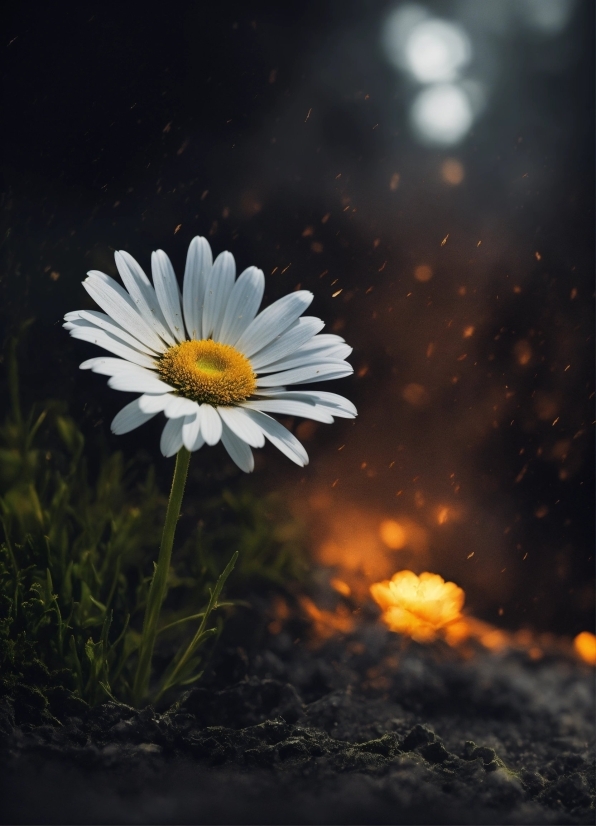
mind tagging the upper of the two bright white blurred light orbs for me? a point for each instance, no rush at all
(436, 50)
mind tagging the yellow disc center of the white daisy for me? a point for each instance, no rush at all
(207, 371)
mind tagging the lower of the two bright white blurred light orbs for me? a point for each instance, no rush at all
(442, 114)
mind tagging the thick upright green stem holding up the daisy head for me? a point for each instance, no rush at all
(158, 586)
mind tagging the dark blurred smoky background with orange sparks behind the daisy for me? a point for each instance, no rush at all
(427, 170)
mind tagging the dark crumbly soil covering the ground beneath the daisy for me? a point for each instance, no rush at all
(360, 730)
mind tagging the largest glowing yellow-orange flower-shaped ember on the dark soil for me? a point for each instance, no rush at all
(418, 607)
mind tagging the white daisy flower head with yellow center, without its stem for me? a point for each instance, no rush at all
(206, 359)
